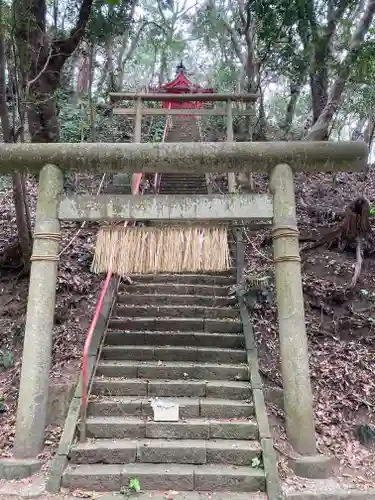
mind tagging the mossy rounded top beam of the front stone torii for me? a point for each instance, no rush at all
(188, 157)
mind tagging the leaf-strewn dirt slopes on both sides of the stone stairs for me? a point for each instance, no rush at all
(340, 323)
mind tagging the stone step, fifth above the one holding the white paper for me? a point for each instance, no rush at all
(207, 325)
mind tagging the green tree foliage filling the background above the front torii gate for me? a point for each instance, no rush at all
(284, 36)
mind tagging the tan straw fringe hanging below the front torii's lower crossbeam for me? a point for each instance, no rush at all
(144, 250)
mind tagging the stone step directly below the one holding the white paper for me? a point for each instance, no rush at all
(126, 427)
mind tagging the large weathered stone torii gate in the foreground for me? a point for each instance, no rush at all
(279, 159)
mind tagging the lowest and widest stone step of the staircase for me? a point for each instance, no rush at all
(112, 477)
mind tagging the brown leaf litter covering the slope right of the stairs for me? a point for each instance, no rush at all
(340, 324)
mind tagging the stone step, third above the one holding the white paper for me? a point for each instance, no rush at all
(173, 353)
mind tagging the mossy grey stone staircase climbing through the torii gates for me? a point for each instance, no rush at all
(179, 338)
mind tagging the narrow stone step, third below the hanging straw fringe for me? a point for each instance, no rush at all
(175, 300)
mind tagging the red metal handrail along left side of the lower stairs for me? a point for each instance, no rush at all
(90, 333)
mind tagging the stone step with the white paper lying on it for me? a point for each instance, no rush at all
(117, 406)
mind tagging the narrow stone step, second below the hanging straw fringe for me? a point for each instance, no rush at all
(178, 289)
